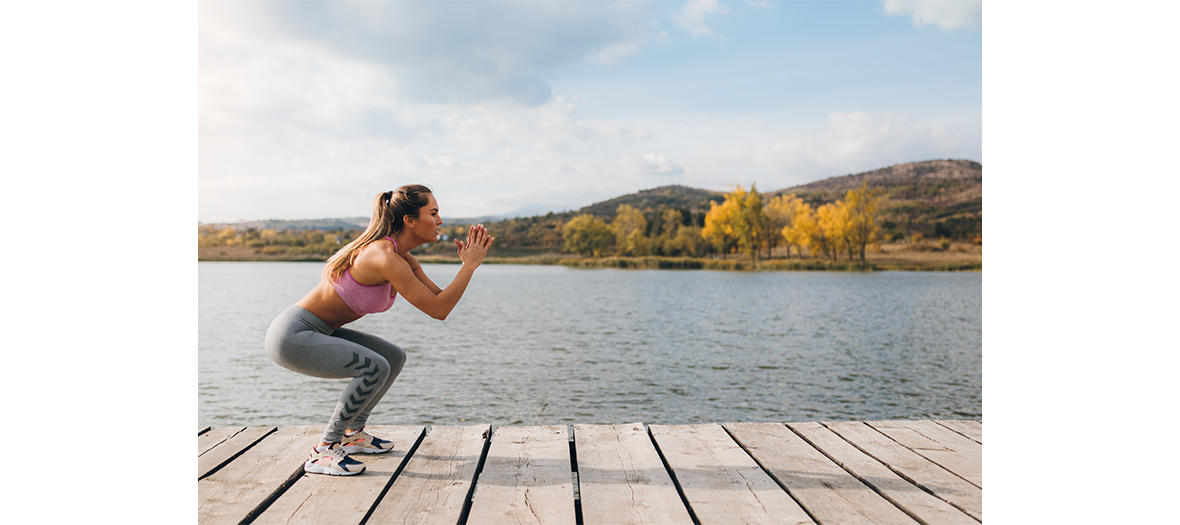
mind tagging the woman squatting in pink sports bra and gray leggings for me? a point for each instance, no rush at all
(365, 278)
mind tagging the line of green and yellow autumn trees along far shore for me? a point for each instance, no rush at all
(745, 222)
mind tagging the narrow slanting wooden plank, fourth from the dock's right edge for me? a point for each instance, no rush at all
(903, 494)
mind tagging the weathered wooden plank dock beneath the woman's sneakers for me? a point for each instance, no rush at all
(856, 472)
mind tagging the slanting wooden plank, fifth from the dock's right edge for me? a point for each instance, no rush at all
(830, 494)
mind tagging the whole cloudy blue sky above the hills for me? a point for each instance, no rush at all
(309, 109)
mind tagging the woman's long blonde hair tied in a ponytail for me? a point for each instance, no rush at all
(390, 212)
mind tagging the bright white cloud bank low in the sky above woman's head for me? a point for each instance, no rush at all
(489, 157)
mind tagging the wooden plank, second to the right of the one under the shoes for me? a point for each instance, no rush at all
(527, 478)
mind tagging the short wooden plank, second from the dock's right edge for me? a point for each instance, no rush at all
(950, 450)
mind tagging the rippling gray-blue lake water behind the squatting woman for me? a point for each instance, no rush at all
(555, 346)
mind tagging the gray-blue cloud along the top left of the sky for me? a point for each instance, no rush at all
(451, 52)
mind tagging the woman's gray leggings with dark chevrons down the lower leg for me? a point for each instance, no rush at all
(300, 342)
